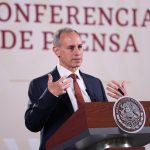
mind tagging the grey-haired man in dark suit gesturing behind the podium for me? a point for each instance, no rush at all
(52, 99)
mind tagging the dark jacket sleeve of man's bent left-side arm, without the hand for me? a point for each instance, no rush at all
(40, 106)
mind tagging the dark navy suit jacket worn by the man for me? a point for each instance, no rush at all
(46, 112)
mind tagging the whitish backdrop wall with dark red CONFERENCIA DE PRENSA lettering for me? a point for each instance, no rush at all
(116, 34)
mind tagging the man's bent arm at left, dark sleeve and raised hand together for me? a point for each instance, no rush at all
(42, 102)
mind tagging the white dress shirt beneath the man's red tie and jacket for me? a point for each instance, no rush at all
(64, 72)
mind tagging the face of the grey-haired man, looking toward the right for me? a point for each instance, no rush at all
(70, 51)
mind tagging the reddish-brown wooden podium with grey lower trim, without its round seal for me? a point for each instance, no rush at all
(92, 127)
